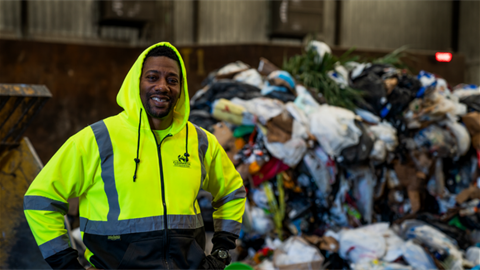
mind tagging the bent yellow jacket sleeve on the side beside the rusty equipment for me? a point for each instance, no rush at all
(45, 202)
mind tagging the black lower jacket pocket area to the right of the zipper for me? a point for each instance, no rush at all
(185, 253)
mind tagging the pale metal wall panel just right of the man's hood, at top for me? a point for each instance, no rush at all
(221, 21)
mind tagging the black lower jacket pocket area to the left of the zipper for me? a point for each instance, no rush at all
(144, 254)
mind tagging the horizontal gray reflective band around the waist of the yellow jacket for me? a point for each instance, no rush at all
(138, 225)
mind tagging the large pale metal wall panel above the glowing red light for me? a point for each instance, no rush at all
(389, 24)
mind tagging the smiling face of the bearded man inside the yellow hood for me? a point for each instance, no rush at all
(160, 85)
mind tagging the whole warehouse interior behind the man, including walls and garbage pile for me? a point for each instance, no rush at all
(63, 62)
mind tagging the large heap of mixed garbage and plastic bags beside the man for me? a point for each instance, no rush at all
(391, 183)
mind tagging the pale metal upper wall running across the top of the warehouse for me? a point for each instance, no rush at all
(372, 24)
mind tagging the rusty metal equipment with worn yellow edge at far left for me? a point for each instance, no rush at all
(19, 164)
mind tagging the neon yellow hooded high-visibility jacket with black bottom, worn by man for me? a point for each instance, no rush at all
(136, 214)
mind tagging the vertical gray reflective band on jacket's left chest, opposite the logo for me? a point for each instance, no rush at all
(108, 175)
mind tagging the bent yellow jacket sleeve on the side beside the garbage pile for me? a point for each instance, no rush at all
(226, 186)
